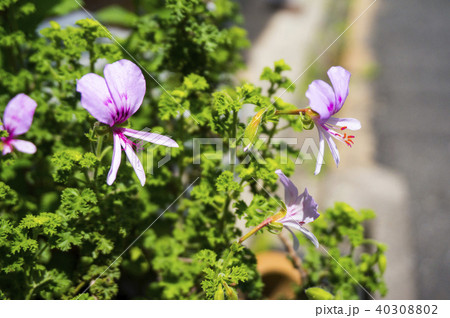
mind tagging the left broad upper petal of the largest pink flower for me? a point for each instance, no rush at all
(96, 99)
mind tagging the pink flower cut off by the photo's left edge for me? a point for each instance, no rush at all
(17, 120)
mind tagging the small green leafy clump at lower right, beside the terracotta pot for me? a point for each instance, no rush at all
(364, 258)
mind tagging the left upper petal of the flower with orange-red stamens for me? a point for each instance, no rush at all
(321, 99)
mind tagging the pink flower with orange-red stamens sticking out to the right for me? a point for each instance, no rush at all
(325, 102)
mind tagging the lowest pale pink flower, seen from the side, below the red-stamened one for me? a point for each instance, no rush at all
(301, 210)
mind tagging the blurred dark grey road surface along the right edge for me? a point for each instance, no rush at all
(412, 47)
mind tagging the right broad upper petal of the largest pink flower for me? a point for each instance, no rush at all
(127, 87)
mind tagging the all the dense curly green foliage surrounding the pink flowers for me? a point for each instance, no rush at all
(63, 230)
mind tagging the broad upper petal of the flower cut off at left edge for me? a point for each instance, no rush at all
(18, 115)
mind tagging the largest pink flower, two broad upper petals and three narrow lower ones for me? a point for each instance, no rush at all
(112, 100)
